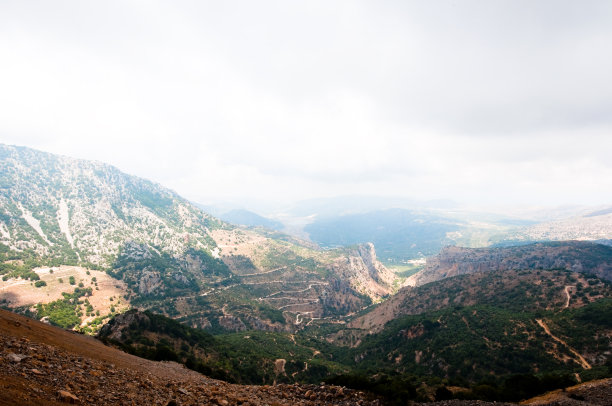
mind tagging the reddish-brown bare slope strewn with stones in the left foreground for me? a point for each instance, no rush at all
(44, 365)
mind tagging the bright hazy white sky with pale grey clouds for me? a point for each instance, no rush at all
(478, 101)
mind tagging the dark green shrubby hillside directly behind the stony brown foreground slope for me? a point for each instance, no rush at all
(251, 358)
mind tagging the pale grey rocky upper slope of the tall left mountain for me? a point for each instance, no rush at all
(65, 209)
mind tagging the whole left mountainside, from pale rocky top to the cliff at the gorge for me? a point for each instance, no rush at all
(167, 254)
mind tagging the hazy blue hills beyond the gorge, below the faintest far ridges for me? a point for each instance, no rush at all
(403, 234)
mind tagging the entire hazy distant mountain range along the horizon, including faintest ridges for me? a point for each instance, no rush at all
(405, 229)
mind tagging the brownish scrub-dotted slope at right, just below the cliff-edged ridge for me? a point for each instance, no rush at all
(518, 291)
